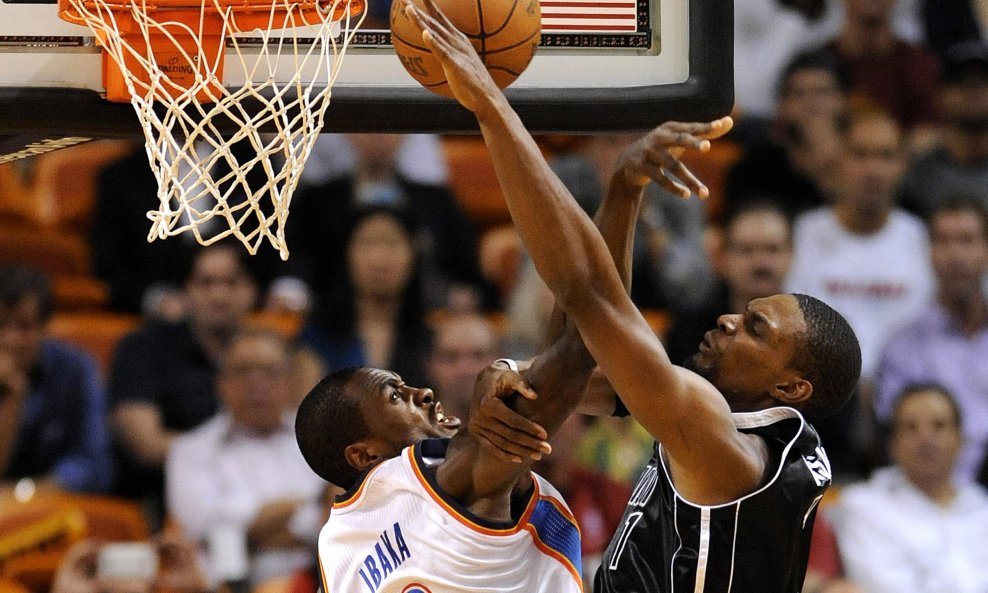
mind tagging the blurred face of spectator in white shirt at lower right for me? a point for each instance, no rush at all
(926, 437)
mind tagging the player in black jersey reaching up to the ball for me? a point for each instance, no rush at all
(728, 502)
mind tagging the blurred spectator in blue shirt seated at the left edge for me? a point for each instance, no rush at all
(53, 428)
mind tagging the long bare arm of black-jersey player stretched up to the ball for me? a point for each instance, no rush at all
(680, 409)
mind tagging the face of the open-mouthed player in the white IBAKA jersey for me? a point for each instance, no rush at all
(399, 414)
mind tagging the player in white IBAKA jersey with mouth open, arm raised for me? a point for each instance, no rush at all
(476, 519)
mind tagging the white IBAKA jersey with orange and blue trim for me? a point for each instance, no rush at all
(397, 532)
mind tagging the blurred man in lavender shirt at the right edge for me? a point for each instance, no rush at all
(948, 342)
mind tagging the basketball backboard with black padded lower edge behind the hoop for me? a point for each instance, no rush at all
(603, 65)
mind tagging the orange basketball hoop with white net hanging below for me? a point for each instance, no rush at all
(167, 58)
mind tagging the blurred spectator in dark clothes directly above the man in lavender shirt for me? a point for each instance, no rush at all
(960, 162)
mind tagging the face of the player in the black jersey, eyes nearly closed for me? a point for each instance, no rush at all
(749, 354)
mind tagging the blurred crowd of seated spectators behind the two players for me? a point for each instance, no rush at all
(861, 178)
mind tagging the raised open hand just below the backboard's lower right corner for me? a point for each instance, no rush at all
(656, 156)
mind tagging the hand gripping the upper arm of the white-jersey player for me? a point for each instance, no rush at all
(514, 437)
